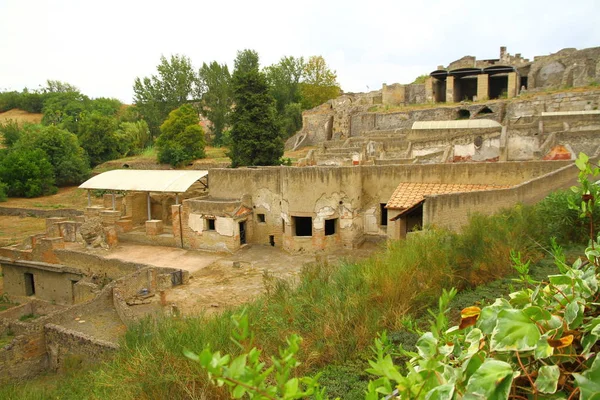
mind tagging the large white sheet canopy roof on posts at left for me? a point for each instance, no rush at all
(170, 181)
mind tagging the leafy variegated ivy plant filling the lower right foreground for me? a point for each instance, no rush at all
(540, 342)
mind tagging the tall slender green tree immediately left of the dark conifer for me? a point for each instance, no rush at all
(214, 85)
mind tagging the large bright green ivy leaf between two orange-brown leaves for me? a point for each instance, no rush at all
(514, 331)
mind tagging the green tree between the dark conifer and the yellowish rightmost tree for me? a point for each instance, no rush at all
(284, 79)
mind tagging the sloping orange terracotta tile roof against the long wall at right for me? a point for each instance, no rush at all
(408, 195)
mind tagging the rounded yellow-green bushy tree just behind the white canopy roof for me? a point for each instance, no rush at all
(182, 138)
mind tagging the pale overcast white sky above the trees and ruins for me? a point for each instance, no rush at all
(101, 46)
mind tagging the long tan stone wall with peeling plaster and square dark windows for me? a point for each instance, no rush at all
(352, 196)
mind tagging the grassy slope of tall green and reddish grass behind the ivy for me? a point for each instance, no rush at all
(338, 310)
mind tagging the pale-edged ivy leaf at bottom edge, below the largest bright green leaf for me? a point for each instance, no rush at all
(491, 381)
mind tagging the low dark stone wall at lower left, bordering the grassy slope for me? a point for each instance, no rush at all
(63, 344)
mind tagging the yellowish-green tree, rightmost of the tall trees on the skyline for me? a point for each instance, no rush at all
(319, 83)
